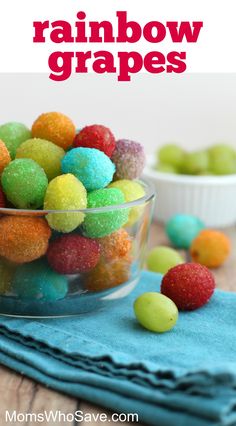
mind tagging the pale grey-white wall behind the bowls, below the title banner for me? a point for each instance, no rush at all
(192, 109)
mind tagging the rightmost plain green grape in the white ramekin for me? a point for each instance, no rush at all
(222, 159)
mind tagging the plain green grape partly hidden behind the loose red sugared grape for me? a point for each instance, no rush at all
(161, 259)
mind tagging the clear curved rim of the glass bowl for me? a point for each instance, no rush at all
(149, 195)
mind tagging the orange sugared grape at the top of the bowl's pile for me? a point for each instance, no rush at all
(54, 127)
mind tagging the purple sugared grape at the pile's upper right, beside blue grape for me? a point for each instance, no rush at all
(129, 159)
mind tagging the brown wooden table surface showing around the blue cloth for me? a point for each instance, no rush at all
(24, 395)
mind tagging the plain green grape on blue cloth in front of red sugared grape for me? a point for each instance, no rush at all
(155, 312)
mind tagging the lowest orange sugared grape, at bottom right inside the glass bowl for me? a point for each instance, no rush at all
(107, 275)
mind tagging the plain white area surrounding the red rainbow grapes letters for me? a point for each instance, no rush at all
(215, 50)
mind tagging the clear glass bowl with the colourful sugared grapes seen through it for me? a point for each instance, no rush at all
(48, 273)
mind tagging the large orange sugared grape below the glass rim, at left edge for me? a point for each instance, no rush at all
(23, 238)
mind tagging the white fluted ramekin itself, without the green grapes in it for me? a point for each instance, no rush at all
(211, 198)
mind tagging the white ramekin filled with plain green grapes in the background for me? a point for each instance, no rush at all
(200, 183)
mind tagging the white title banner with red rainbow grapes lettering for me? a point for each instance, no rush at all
(213, 51)
